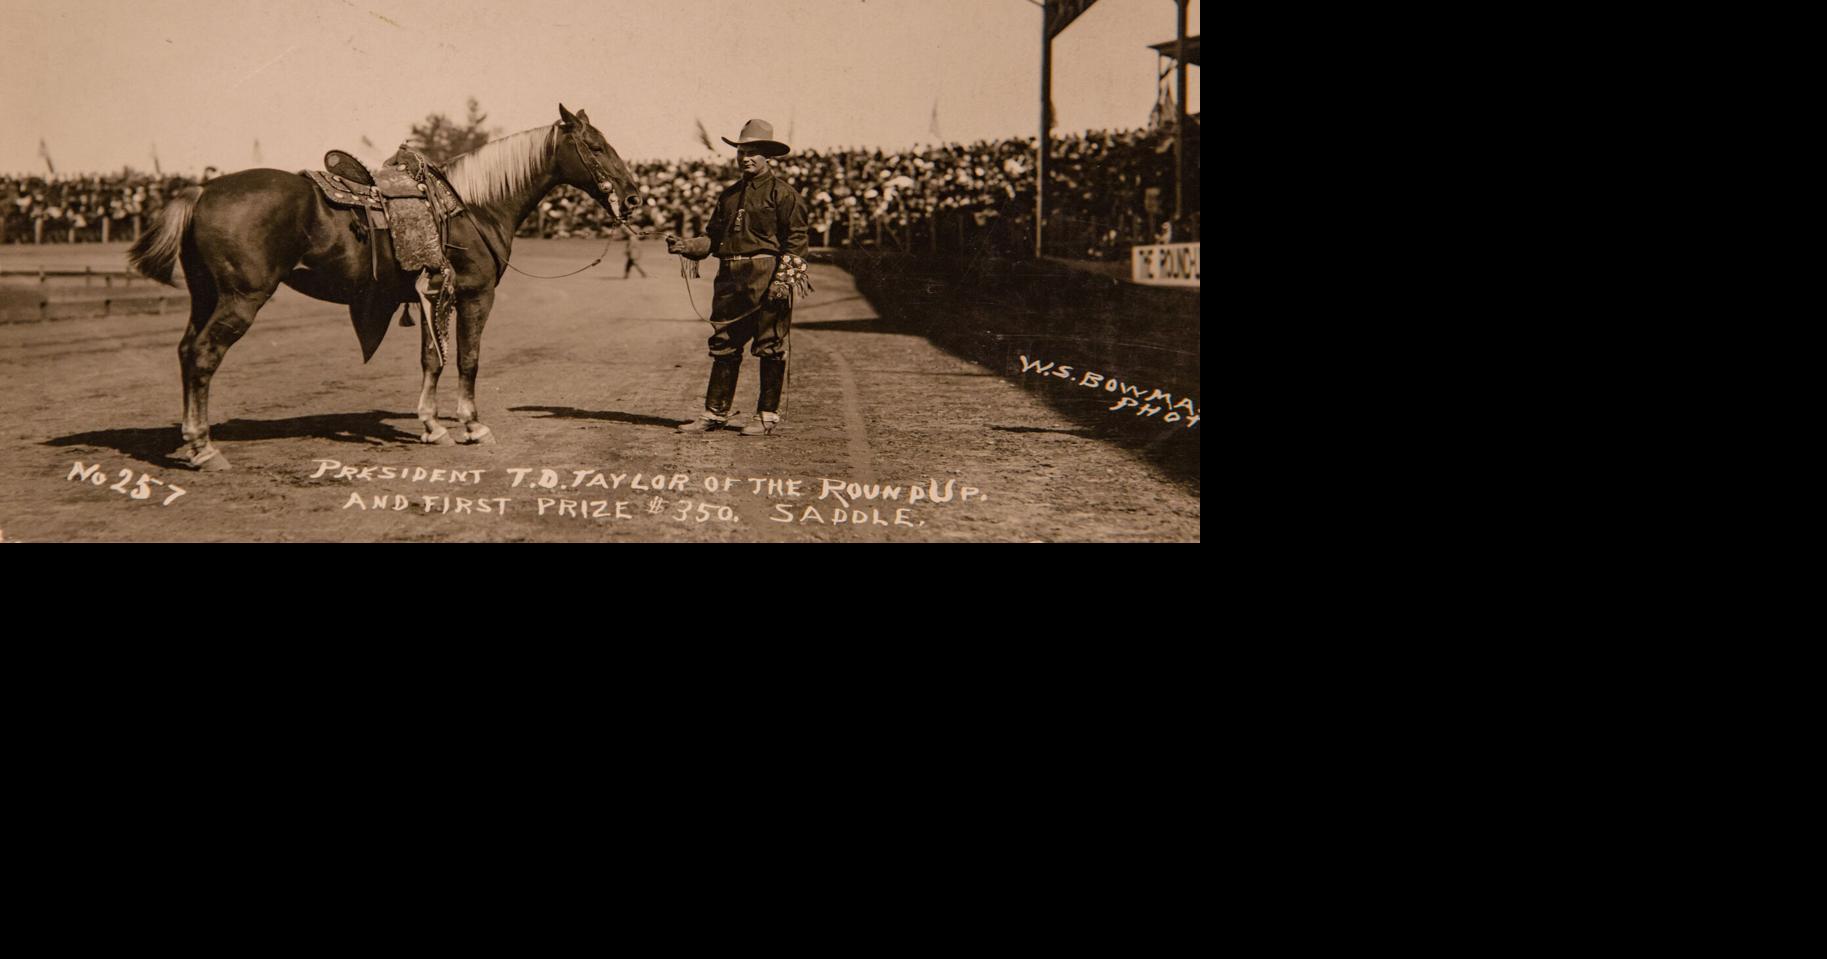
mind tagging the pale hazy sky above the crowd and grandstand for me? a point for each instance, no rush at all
(105, 83)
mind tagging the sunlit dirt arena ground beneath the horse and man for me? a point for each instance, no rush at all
(584, 381)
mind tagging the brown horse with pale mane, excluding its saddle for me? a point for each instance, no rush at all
(248, 233)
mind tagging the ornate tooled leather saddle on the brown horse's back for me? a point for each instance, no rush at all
(414, 204)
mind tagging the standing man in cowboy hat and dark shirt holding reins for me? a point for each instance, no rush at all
(759, 220)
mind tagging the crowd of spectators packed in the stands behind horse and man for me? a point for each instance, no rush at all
(1104, 193)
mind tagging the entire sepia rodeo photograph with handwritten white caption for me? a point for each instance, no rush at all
(615, 271)
